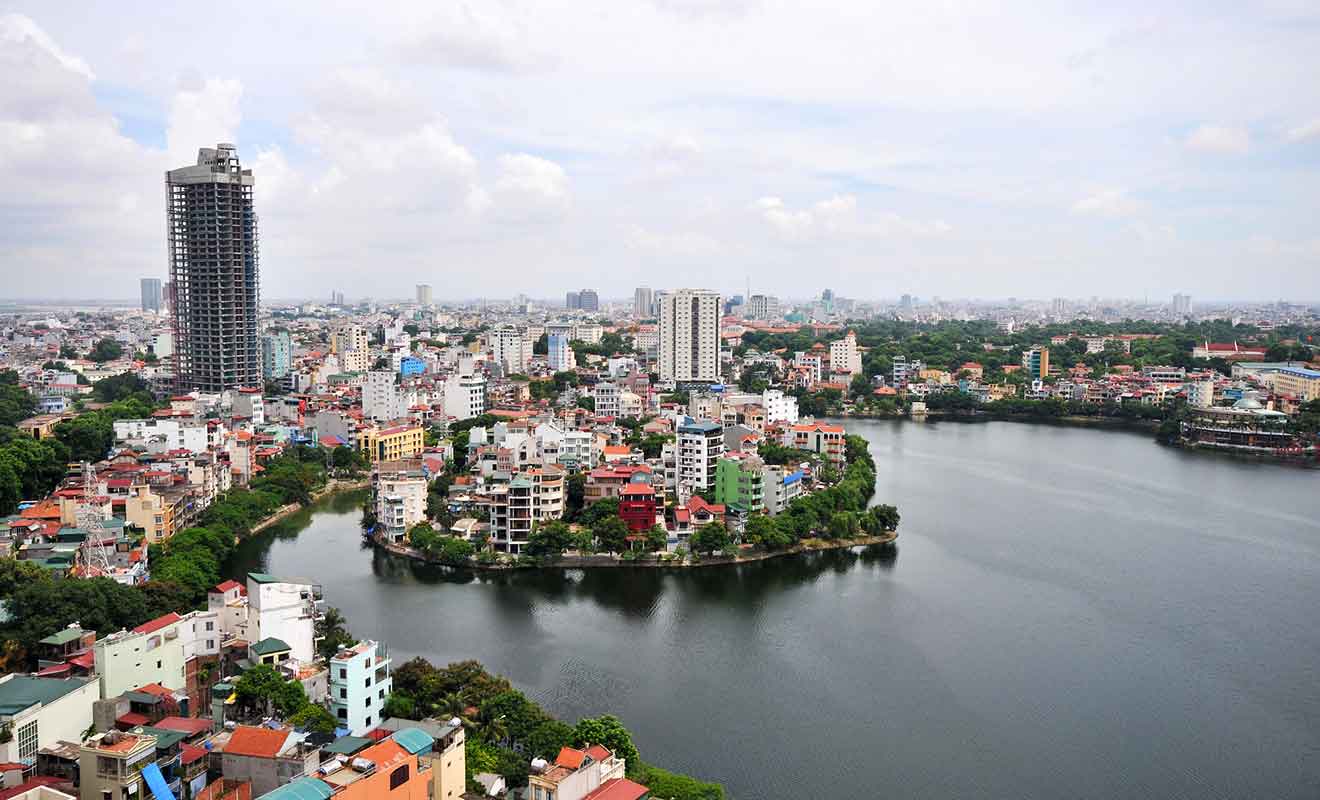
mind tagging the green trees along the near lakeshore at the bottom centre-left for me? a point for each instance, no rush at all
(508, 729)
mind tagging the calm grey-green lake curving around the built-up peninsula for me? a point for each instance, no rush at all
(1069, 615)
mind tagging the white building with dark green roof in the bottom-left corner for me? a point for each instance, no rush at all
(40, 712)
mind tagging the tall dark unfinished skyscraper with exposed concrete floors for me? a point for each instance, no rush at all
(213, 265)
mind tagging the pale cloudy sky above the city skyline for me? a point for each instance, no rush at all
(956, 150)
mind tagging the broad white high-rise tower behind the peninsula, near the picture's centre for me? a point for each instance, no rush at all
(690, 336)
